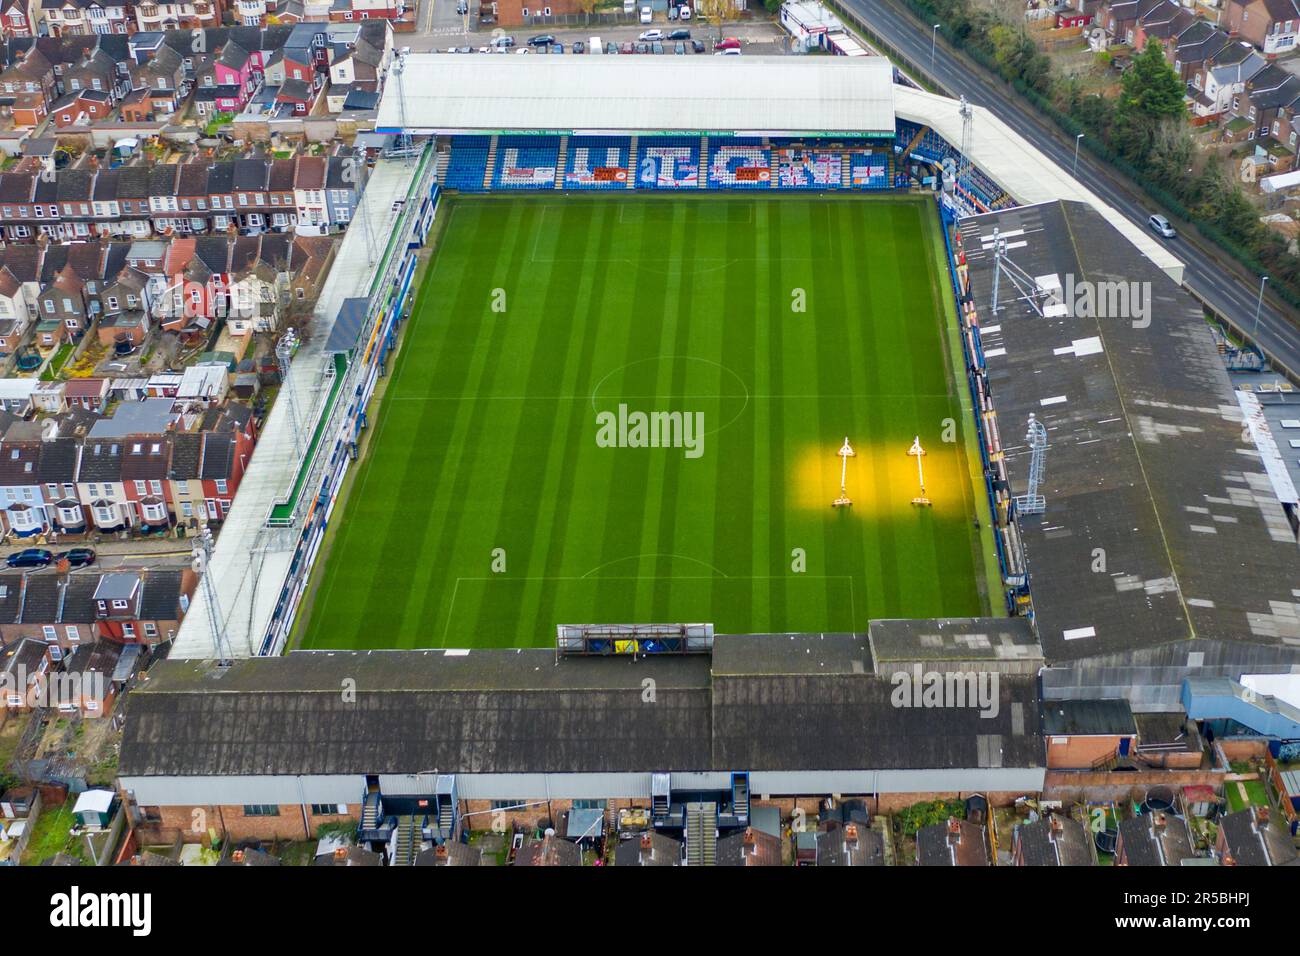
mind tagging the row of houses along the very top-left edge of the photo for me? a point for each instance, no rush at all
(88, 18)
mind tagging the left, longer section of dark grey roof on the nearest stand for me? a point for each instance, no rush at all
(484, 712)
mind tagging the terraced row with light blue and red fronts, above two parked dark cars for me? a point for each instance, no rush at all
(148, 468)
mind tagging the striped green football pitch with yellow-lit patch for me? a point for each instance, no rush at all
(518, 478)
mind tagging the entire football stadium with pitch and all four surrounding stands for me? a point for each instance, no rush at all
(748, 405)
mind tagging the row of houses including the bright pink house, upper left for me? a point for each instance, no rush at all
(85, 79)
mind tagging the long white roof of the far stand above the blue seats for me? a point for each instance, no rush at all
(441, 94)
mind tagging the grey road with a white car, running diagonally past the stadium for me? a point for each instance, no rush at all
(1220, 285)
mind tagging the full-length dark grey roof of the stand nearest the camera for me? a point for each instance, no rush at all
(521, 711)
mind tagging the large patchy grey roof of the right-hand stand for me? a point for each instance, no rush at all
(1147, 469)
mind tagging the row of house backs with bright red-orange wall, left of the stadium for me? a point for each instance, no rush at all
(125, 291)
